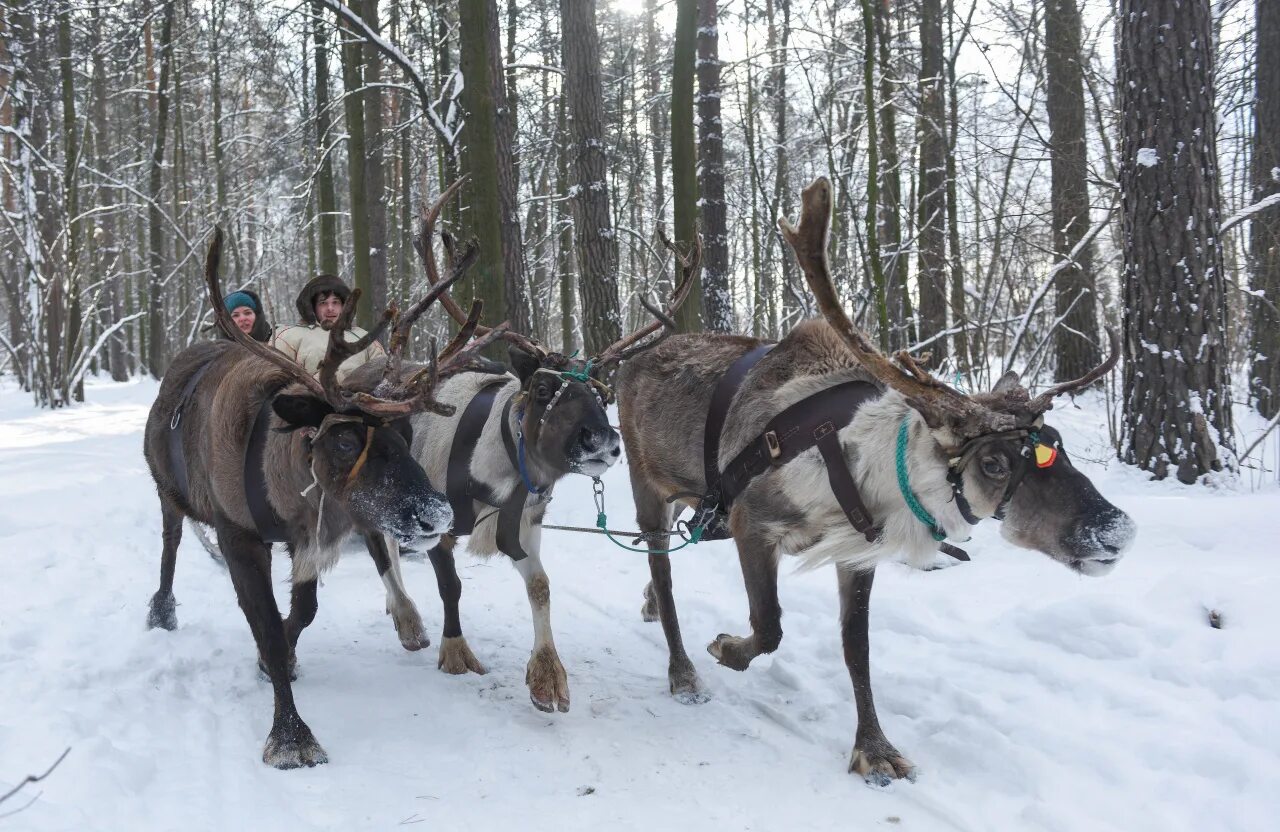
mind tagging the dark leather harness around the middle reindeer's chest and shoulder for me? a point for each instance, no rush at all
(464, 492)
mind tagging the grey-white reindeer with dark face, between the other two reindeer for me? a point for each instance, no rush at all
(504, 450)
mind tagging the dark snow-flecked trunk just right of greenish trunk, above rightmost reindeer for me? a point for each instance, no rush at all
(717, 290)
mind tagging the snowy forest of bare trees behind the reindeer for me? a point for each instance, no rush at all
(1012, 179)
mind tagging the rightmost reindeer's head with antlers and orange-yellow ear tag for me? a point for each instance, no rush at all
(1003, 460)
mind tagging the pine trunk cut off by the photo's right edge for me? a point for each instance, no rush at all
(1265, 244)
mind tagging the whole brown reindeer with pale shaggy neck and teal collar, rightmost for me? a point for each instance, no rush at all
(966, 459)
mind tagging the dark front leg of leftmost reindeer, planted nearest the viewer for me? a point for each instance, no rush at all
(291, 743)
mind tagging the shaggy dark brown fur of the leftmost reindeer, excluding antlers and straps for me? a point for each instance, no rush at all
(391, 495)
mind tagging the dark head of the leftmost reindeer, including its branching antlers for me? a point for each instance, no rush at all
(358, 442)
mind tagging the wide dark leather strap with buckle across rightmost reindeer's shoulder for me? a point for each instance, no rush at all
(813, 422)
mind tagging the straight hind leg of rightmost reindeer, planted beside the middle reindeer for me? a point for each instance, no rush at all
(653, 515)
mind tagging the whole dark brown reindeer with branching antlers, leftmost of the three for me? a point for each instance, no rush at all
(246, 441)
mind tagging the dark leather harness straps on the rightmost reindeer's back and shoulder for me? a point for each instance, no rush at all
(813, 422)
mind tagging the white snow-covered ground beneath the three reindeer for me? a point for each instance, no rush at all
(1028, 697)
